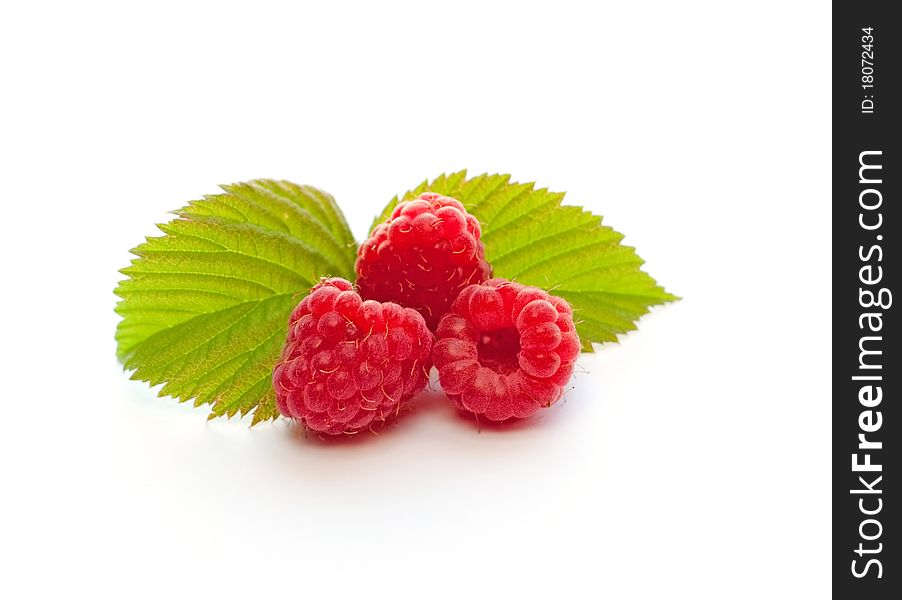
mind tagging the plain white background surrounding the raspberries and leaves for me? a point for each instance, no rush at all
(689, 461)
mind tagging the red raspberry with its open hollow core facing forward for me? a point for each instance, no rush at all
(505, 349)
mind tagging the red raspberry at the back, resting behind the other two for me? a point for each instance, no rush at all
(423, 256)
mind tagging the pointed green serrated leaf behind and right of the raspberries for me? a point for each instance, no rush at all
(531, 238)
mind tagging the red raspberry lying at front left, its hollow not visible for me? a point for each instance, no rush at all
(349, 363)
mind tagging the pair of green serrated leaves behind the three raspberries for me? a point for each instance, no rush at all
(205, 306)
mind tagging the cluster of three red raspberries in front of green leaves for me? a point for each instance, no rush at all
(424, 297)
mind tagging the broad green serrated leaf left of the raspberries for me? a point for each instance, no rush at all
(205, 307)
